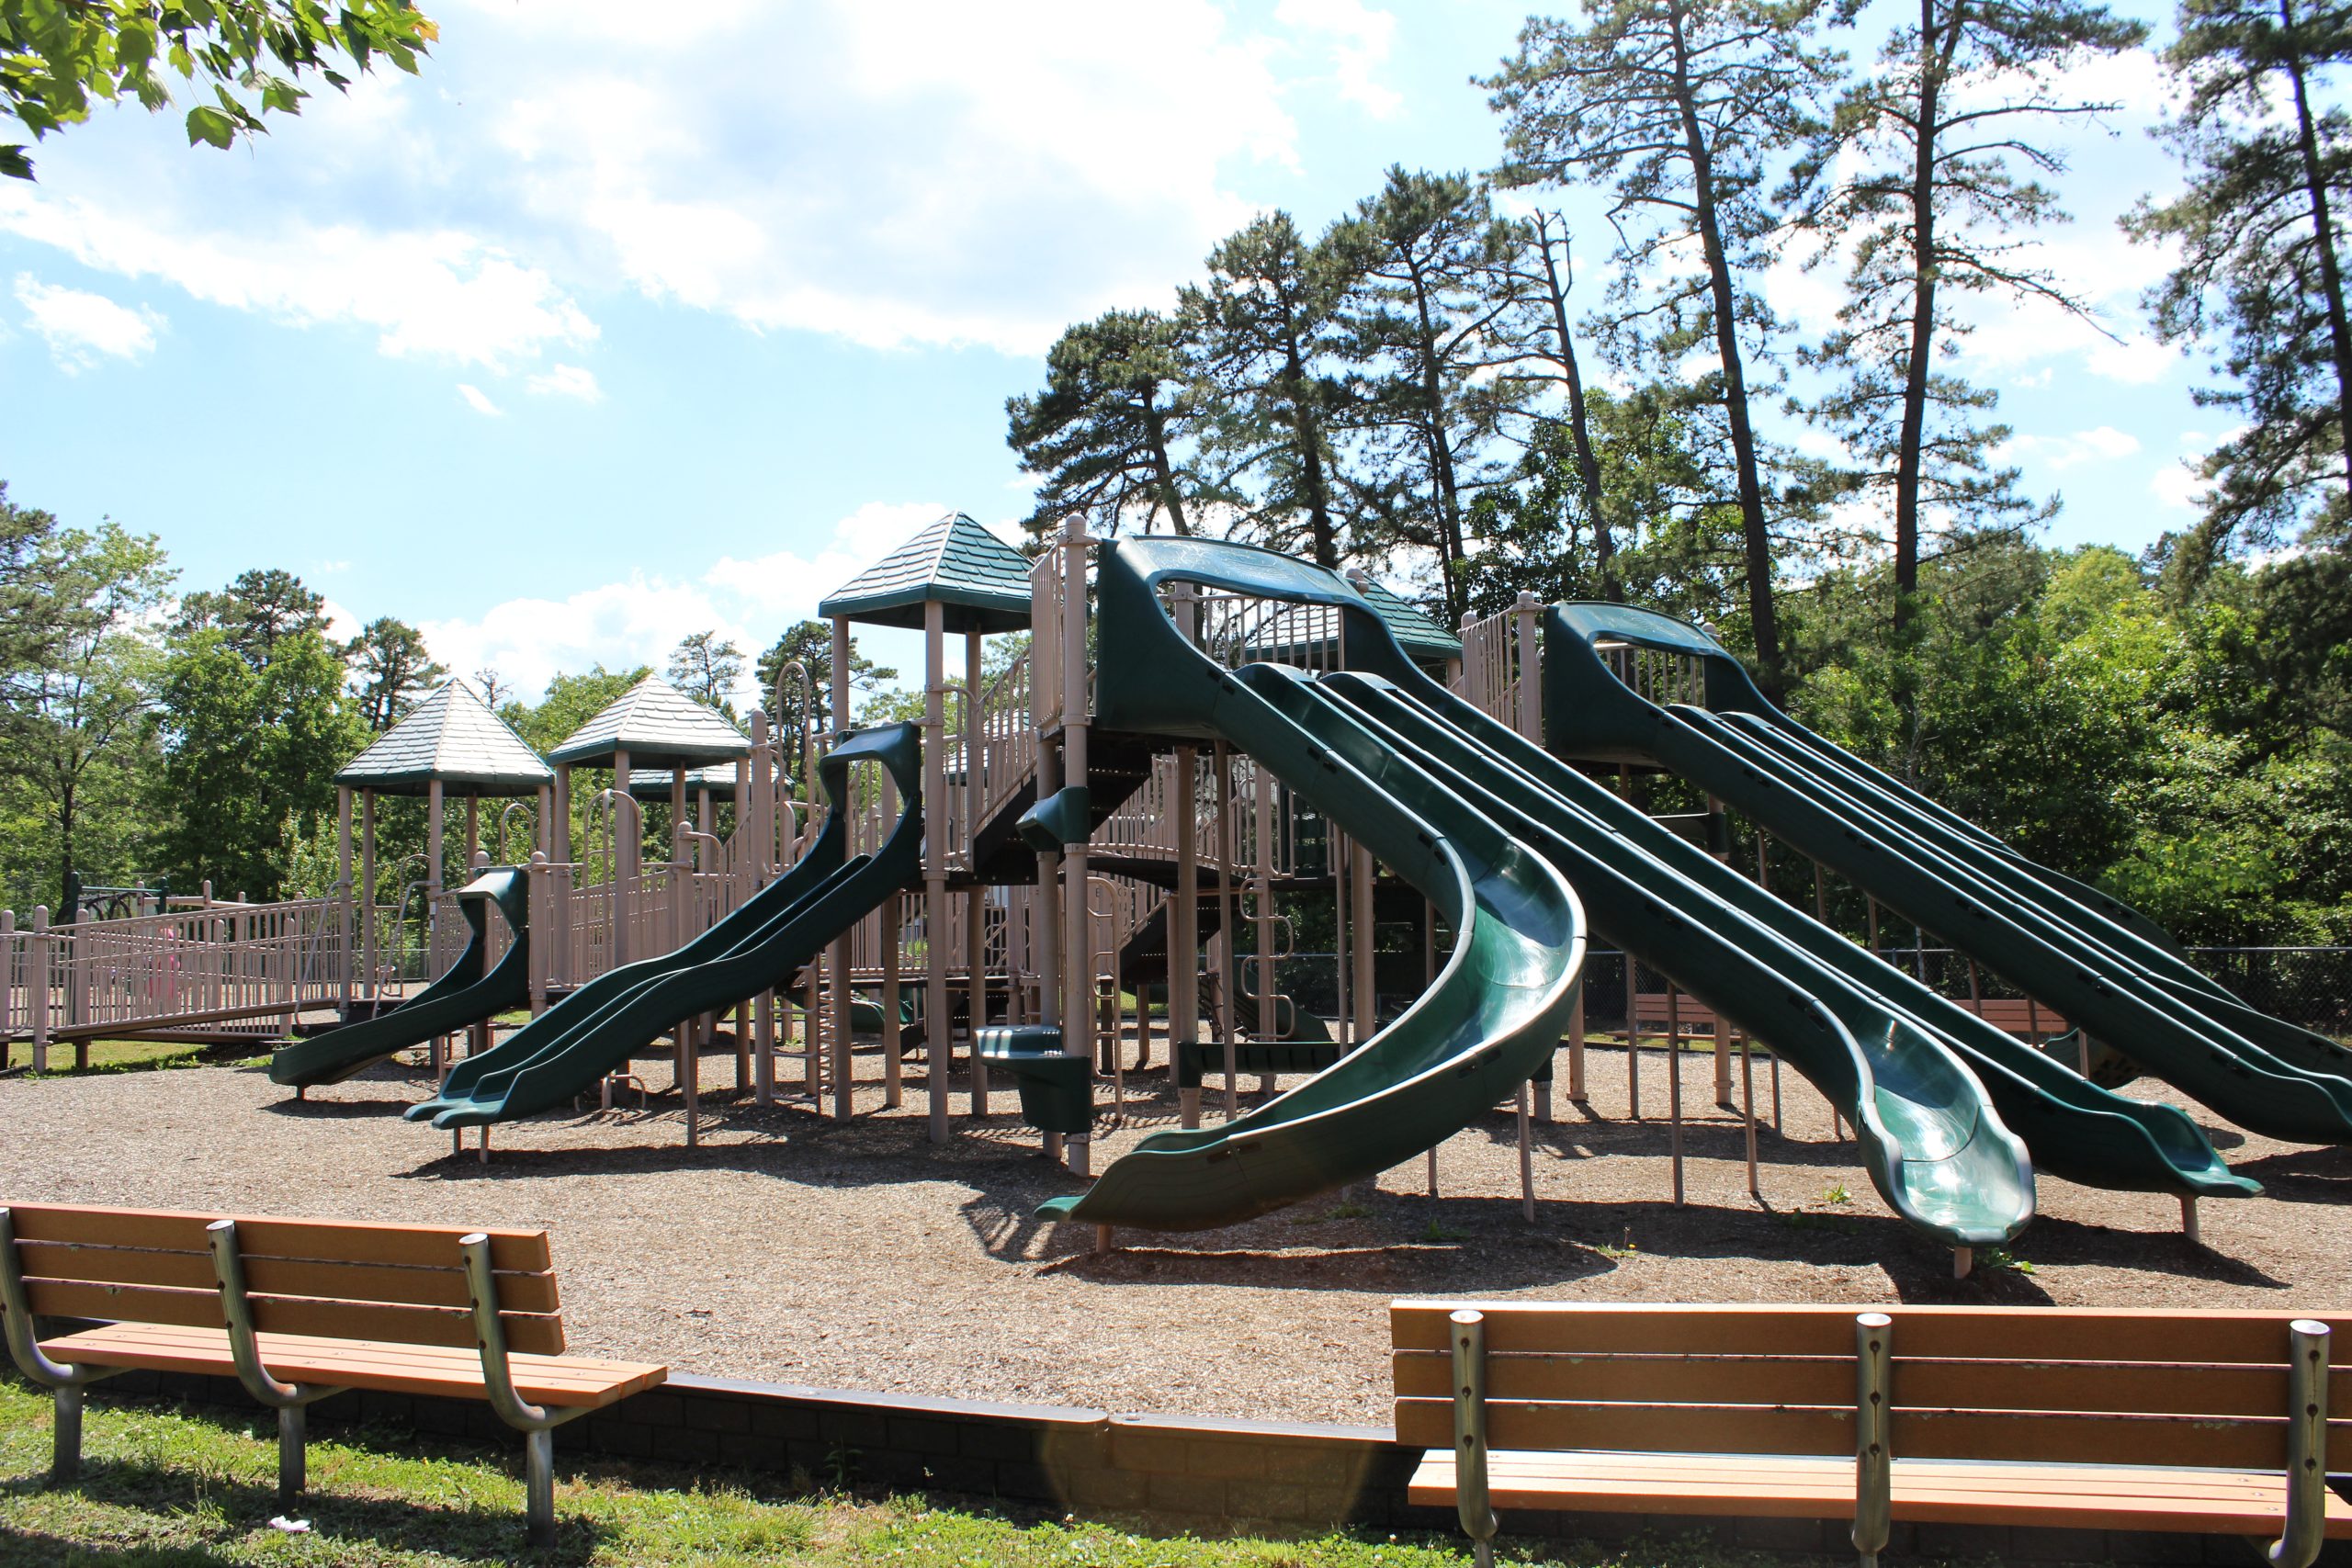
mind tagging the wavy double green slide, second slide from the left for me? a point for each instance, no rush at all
(761, 946)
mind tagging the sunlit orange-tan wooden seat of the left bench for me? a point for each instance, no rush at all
(406, 1369)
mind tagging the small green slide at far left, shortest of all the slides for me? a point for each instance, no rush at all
(460, 998)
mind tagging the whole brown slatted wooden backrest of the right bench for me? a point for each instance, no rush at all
(1967, 1383)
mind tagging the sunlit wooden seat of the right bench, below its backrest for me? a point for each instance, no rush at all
(1925, 1492)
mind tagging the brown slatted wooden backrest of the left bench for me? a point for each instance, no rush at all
(314, 1278)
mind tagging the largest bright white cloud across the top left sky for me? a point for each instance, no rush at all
(930, 173)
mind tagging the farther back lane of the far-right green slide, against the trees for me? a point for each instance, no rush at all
(2054, 897)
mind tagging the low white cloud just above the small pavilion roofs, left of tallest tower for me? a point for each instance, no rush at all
(639, 619)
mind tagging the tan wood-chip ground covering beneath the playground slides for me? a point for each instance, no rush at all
(857, 1257)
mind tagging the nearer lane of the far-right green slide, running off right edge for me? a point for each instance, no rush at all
(2172, 1036)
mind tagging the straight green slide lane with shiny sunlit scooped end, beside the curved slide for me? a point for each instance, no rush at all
(1925, 1125)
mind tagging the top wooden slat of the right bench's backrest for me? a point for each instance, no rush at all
(1993, 1334)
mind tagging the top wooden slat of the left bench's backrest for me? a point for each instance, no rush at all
(523, 1252)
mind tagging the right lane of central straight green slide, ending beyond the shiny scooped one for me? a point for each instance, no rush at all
(2073, 1127)
